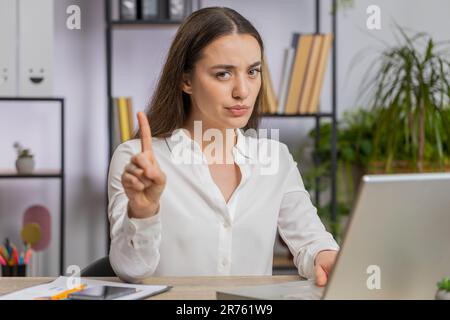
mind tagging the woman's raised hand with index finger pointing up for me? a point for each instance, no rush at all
(143, 179)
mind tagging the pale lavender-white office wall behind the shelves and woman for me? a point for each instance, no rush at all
(80, 77)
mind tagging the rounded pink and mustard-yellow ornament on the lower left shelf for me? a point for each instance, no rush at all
(37, 227)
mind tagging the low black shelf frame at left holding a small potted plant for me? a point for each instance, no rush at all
(48, 175)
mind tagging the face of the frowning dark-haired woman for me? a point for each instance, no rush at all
(227, 75)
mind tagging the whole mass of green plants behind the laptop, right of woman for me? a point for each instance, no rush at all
(408, 121)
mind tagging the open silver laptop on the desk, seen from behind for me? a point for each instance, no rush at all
(396, 246)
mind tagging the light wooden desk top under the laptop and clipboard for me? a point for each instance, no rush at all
(195, 288)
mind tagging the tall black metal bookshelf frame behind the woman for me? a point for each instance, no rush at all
(317, 117)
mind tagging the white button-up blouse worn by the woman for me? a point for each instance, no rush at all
(196, 232)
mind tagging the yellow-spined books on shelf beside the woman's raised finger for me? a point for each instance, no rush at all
(123, 120)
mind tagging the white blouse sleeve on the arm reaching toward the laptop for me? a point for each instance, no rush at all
(299, 225)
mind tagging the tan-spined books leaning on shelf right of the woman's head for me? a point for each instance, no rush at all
(303, 73)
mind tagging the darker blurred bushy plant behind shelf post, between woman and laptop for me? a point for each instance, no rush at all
(354, 149)
